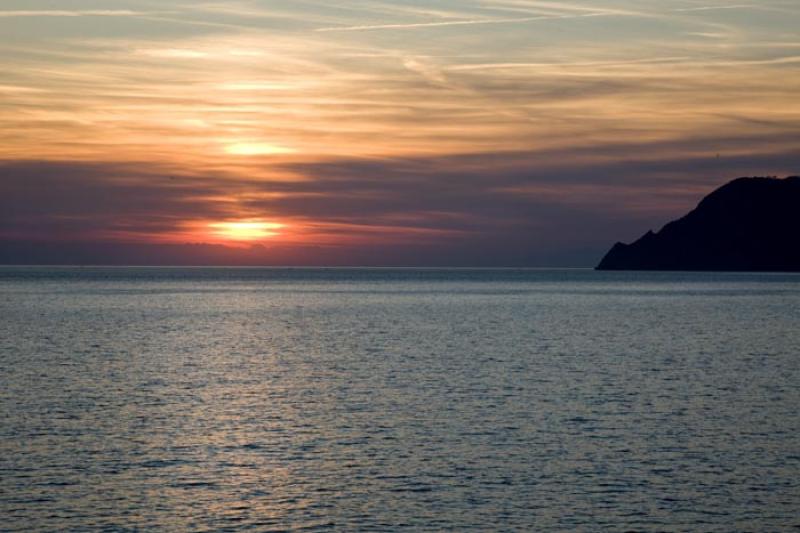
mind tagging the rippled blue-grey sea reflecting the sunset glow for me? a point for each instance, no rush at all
(371, 400)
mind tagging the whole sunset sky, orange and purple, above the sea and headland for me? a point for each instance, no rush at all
(385, 133)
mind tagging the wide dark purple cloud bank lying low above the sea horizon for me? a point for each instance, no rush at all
(537, 207)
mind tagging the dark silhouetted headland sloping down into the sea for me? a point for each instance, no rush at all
(749, 224)
